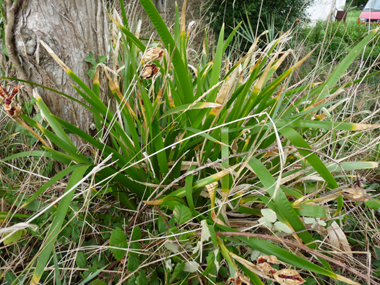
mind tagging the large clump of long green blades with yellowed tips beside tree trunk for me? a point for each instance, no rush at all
(195, 171)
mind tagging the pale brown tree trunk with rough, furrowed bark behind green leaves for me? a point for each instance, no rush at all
(73, 29)
